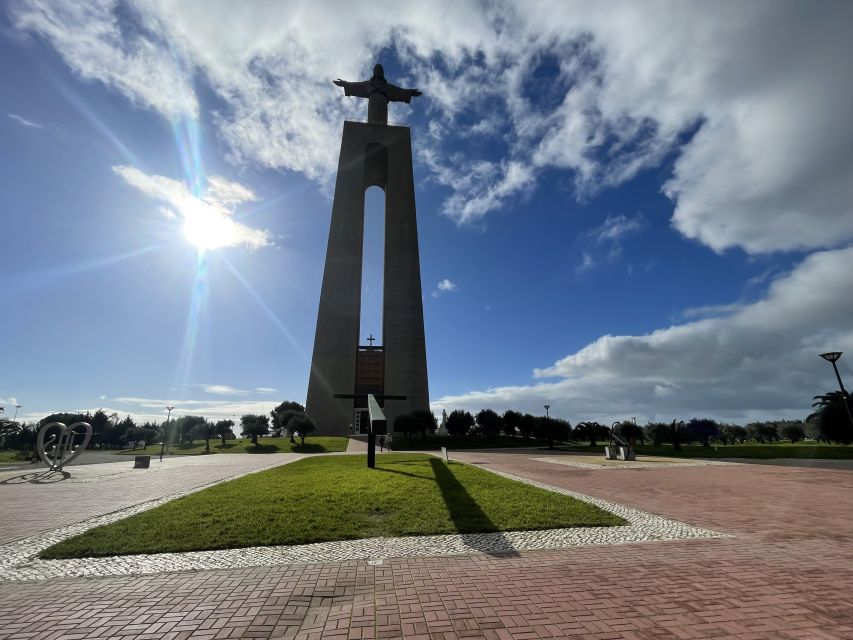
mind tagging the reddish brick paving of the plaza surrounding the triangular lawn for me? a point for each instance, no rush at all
(785, 573)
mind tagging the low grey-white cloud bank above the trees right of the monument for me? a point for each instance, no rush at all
(758, 361)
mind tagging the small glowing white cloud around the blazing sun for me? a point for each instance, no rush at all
(207, 218)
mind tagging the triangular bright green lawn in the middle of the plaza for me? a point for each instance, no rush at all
(338, 498)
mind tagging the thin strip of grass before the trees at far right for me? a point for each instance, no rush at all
(801, 450)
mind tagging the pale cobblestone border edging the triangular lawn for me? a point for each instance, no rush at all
(18, 559)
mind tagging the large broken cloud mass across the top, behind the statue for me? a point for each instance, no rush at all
(764, 86)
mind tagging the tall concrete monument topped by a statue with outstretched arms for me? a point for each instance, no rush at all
(372, 154)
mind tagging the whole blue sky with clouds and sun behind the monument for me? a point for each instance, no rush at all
(630, 210)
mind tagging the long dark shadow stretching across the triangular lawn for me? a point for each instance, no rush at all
(467, 515)
